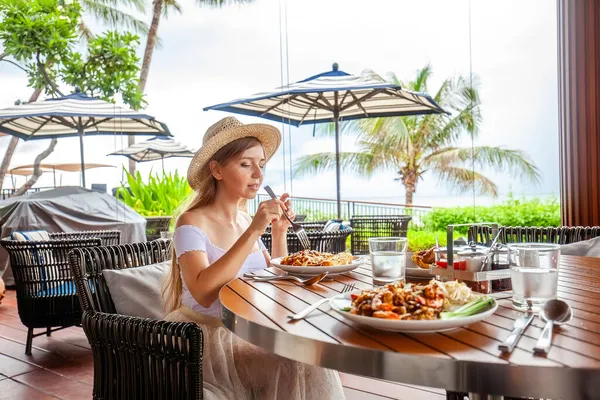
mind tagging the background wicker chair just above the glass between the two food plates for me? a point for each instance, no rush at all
(368, 226)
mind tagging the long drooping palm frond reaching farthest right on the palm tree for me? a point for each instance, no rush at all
(515, 162)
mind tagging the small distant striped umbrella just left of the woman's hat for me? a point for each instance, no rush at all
(157, 148)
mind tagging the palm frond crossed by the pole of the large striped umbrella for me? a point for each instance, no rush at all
(363, 164)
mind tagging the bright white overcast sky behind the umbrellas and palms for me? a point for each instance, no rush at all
(210, 56)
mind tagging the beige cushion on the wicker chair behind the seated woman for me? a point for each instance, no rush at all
(137, 291)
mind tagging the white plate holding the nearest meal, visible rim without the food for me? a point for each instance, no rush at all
(341, 301)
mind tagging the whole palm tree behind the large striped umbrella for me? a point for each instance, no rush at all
(415, 145)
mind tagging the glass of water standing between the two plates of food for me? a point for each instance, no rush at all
(388, 259)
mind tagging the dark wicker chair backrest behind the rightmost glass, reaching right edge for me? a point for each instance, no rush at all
(520, 234)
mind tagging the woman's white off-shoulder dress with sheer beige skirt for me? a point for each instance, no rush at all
(234, 368)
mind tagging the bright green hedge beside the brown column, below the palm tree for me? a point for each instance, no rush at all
(511, 212)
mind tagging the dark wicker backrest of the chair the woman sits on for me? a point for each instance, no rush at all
(87, 265)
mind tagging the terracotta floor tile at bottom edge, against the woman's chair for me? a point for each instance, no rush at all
(56, 385)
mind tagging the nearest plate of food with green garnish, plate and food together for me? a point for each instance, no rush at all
(434, 307)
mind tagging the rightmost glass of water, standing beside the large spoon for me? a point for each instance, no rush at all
(534, 274)
